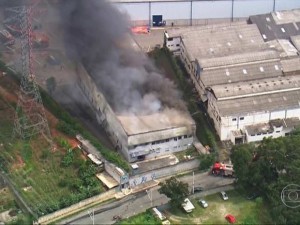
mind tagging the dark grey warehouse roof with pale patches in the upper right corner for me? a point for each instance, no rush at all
(278, 25)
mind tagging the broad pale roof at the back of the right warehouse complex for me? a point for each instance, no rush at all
(222, 41)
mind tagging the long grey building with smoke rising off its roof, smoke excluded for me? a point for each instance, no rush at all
(140, 137)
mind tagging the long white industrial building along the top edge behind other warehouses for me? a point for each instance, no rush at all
(197, 12)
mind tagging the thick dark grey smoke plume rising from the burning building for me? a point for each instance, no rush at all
(95, 33)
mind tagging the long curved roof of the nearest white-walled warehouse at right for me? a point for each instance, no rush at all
(256, 87)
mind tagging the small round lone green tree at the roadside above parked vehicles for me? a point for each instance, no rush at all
(174, 189)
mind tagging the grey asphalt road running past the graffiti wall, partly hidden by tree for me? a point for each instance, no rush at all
(135, 204)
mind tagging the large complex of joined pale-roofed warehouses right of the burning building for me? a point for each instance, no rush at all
(247, 77)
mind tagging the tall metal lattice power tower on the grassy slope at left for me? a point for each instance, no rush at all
(30, 118)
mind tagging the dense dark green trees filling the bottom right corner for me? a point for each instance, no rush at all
(266, 169)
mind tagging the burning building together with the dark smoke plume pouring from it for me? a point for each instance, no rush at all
(141, 110)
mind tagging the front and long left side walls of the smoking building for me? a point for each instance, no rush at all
(107, 118)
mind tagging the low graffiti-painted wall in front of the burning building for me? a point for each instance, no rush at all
(163, 172)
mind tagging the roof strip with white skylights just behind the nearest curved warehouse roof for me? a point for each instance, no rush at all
(243, 72)
